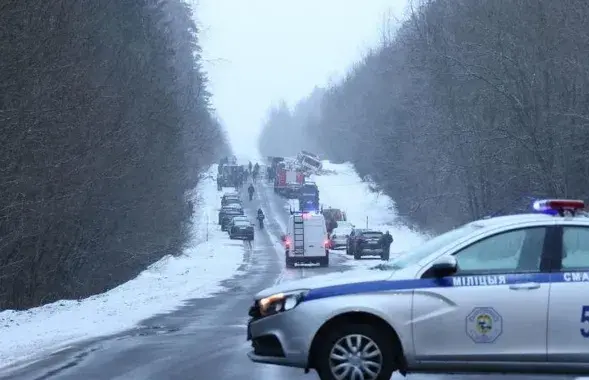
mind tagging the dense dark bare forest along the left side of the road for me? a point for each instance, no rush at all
(106, 124)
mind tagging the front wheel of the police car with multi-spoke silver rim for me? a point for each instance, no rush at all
(355, 351)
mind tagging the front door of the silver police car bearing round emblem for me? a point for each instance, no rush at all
(493, 309)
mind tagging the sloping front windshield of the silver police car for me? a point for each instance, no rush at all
(431, 246)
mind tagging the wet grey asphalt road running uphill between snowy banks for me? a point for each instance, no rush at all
(205, 339)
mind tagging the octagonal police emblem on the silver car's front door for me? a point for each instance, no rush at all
(484, 325)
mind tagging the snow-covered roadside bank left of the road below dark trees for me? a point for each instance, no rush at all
(161, 288)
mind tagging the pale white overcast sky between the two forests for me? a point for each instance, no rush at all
(260, 51)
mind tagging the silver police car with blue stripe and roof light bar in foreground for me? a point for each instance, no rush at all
(508, 294)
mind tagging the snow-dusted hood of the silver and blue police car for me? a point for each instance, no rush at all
(334, 279)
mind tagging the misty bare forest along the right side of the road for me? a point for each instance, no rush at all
(473, 108)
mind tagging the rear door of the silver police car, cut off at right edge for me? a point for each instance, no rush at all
(568, 323)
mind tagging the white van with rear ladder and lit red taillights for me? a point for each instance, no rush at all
(306, 240)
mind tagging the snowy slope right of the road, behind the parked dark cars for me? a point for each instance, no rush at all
(341, 187)
